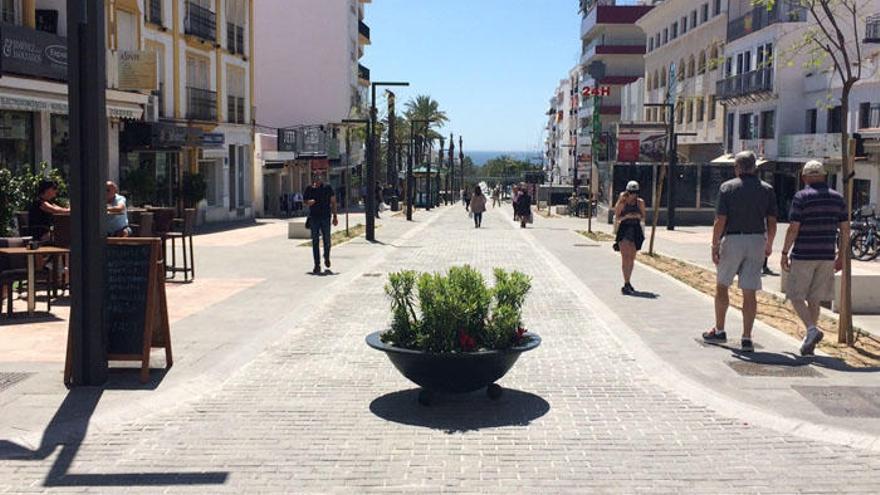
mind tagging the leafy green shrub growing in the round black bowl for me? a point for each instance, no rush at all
(456, 311)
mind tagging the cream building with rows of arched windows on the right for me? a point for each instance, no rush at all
(689, 37)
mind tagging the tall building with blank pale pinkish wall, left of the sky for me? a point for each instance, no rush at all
(309, 75)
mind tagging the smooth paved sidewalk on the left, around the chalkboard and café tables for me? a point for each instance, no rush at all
(251, 284)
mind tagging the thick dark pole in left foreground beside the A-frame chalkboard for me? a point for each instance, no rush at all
(88, 174)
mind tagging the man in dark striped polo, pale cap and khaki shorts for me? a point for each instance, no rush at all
(818, 223)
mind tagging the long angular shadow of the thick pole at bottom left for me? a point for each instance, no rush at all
(67, 431)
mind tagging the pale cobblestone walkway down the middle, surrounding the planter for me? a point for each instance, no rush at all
(321, 412)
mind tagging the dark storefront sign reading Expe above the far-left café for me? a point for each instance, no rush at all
(32, 53)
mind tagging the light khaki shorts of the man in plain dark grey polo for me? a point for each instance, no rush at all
(742, 256)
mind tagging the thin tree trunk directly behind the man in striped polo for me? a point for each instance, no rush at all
(844, 330)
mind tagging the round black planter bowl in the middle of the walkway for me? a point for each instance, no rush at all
(454, 373)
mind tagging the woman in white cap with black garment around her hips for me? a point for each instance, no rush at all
(628, 215)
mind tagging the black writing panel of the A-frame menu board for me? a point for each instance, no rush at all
(129, 271)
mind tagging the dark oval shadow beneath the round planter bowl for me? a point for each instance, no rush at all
(461, 412)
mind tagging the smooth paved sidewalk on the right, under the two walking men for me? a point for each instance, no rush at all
(807, 394)
